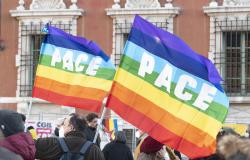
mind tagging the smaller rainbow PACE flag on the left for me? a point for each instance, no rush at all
(72, 71)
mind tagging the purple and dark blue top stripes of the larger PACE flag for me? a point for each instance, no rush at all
(176, 48)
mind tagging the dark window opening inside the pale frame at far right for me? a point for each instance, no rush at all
(237, 75)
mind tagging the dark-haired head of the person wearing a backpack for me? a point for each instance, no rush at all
(73, 123)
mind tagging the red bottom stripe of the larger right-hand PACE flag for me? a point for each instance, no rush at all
(157, 131)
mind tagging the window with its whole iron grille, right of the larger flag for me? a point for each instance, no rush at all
(233, 56)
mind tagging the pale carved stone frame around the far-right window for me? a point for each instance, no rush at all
(230, 11)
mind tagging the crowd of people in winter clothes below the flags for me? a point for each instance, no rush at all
(73, 140)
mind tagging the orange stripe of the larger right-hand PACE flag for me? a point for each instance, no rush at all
(162, 117)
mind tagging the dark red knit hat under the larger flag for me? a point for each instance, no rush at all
(150, 145)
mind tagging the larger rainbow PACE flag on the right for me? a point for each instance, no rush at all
(167, 90)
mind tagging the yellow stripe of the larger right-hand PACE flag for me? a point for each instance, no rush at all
(169, 104)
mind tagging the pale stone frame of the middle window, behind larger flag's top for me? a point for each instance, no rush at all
(150, 10)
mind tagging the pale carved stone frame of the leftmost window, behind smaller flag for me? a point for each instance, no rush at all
(41, 12)
